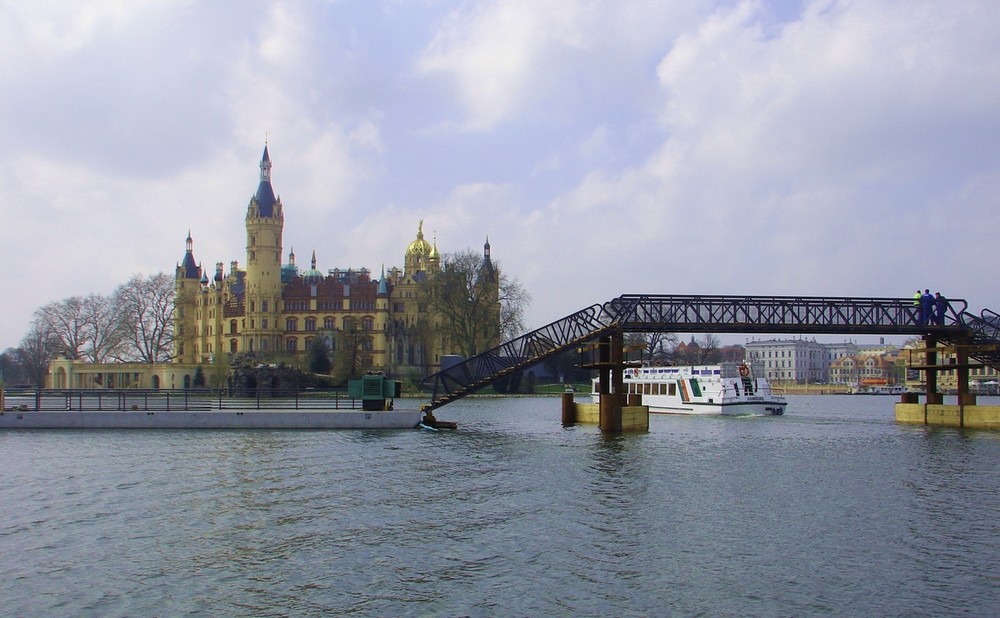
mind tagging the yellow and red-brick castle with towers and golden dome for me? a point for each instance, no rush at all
(274, 310)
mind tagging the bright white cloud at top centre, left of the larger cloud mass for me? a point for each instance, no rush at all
(522, 59)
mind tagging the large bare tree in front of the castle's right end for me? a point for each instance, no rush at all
(477, 304)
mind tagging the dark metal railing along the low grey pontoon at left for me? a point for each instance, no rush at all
(182, 400)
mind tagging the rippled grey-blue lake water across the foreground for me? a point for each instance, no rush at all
(830, 510)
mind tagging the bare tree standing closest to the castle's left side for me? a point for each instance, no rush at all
(145, 309)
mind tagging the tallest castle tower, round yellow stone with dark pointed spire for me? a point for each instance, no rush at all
(265, 222)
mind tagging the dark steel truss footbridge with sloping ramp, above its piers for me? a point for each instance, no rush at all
(645, 313)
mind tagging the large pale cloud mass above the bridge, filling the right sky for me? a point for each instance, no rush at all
(828, 155)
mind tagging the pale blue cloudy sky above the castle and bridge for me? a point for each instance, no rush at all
(808, 148)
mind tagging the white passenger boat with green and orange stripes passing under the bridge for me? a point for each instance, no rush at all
(727, 388)
